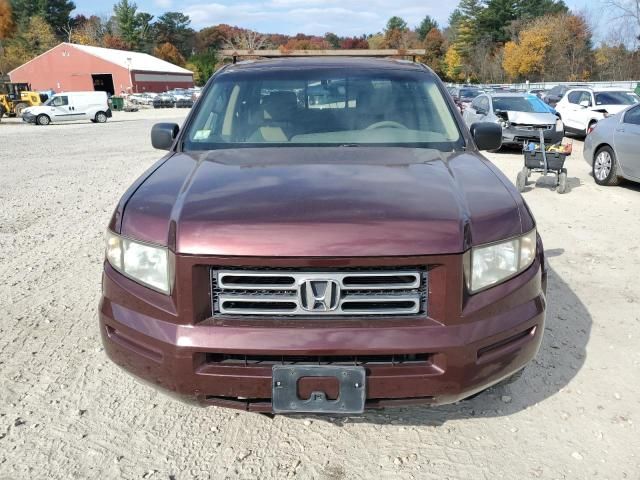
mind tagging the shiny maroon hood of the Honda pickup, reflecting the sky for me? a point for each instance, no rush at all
(324, 202)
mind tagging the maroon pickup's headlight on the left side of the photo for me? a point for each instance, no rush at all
(144, 263)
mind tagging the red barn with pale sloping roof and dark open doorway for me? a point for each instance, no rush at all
(71, 67)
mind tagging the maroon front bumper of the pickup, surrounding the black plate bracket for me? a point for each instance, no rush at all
(230, 364)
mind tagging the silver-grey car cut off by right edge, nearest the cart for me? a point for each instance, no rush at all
(611, 148)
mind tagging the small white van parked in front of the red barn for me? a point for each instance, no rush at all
(70, 106)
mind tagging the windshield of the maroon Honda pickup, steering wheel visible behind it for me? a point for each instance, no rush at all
(323, 107)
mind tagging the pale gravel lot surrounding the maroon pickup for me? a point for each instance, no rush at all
(66, 412)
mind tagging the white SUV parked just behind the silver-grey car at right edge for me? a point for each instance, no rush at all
(581, 108)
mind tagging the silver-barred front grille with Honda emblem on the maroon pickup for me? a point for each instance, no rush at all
(348, 292)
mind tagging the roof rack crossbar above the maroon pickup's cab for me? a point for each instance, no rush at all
(410, 52)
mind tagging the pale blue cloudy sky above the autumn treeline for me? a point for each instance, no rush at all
(343, 17)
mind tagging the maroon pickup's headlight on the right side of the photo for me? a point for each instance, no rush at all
(488, 265)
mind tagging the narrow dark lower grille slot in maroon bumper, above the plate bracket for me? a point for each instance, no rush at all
(267, 360)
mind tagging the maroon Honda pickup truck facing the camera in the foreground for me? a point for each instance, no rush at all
(323, 236)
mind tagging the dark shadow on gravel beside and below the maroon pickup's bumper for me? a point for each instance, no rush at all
(561, 356)
